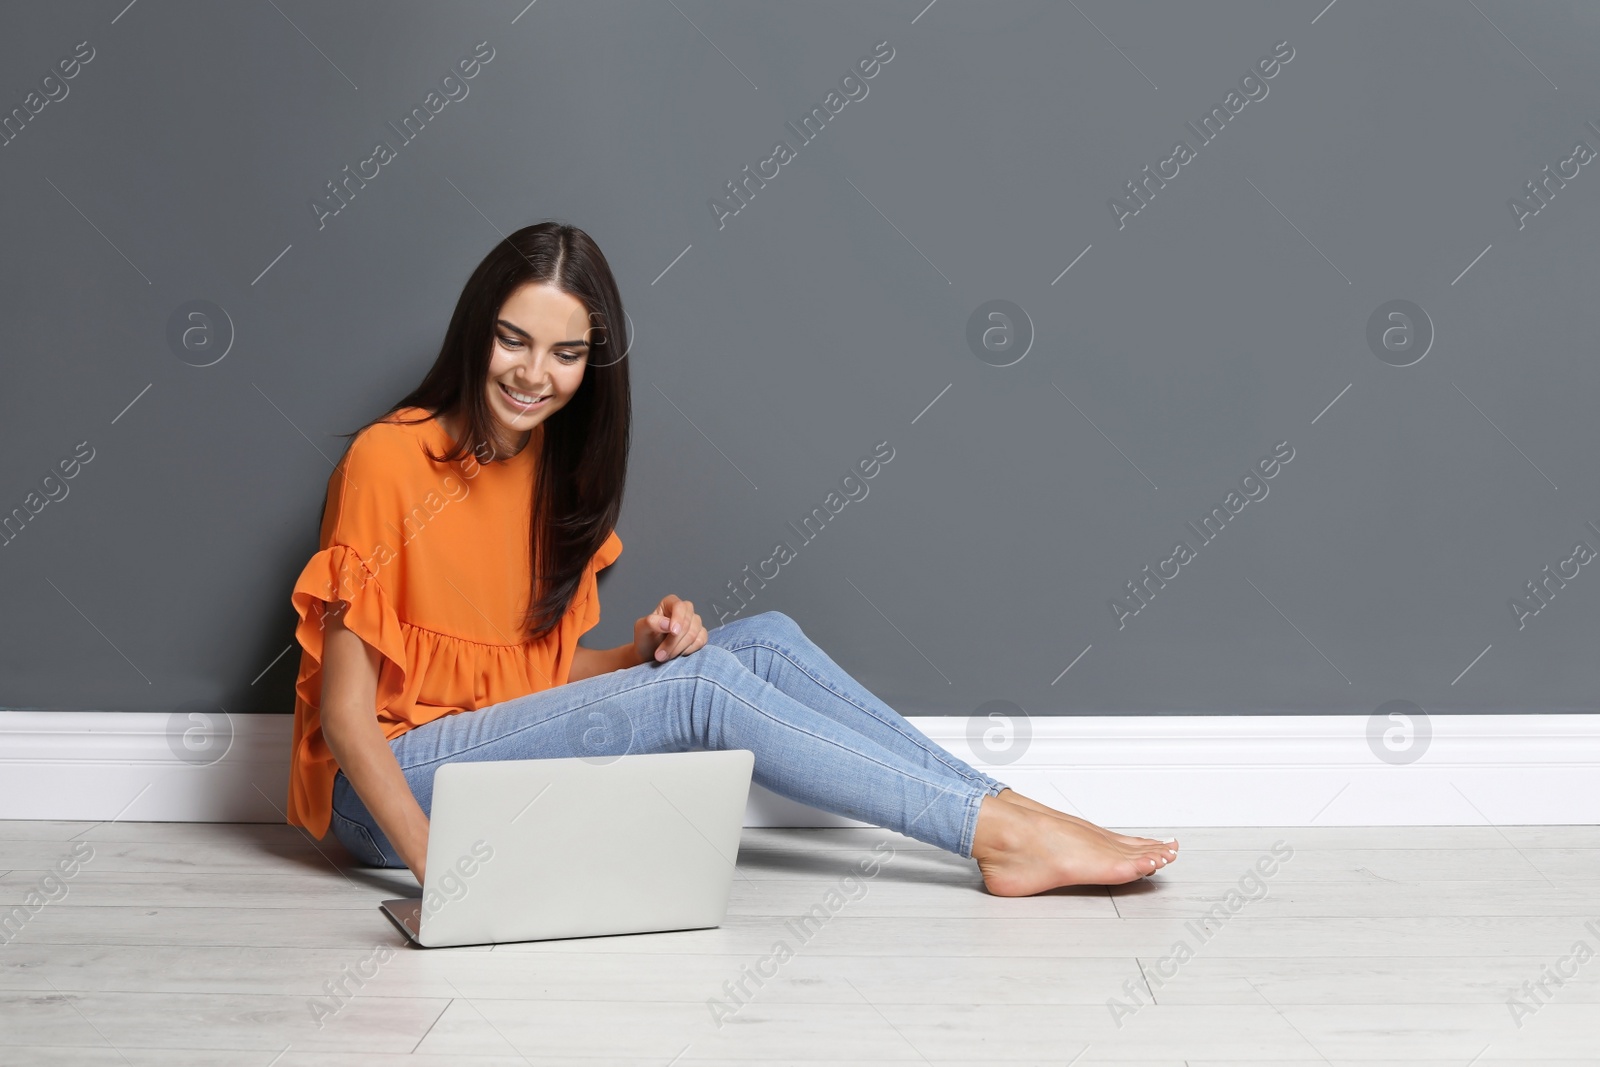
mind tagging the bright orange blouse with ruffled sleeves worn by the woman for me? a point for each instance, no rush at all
(434, 564)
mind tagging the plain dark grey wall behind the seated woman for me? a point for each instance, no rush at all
(1030, 482)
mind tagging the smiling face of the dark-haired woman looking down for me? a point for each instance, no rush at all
(538, 361)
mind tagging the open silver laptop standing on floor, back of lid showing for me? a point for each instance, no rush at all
(529, 850)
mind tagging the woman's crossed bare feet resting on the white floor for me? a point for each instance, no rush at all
(1023, 852)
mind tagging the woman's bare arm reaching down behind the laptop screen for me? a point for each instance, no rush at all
(350, 725)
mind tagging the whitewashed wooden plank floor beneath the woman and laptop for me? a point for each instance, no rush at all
(210, 945)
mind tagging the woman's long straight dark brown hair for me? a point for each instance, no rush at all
(583, 462)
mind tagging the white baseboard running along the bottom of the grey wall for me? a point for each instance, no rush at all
(1158, 772)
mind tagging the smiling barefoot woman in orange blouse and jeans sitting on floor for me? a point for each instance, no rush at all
(431, 636)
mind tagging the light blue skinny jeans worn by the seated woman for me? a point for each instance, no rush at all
(759, 684)
